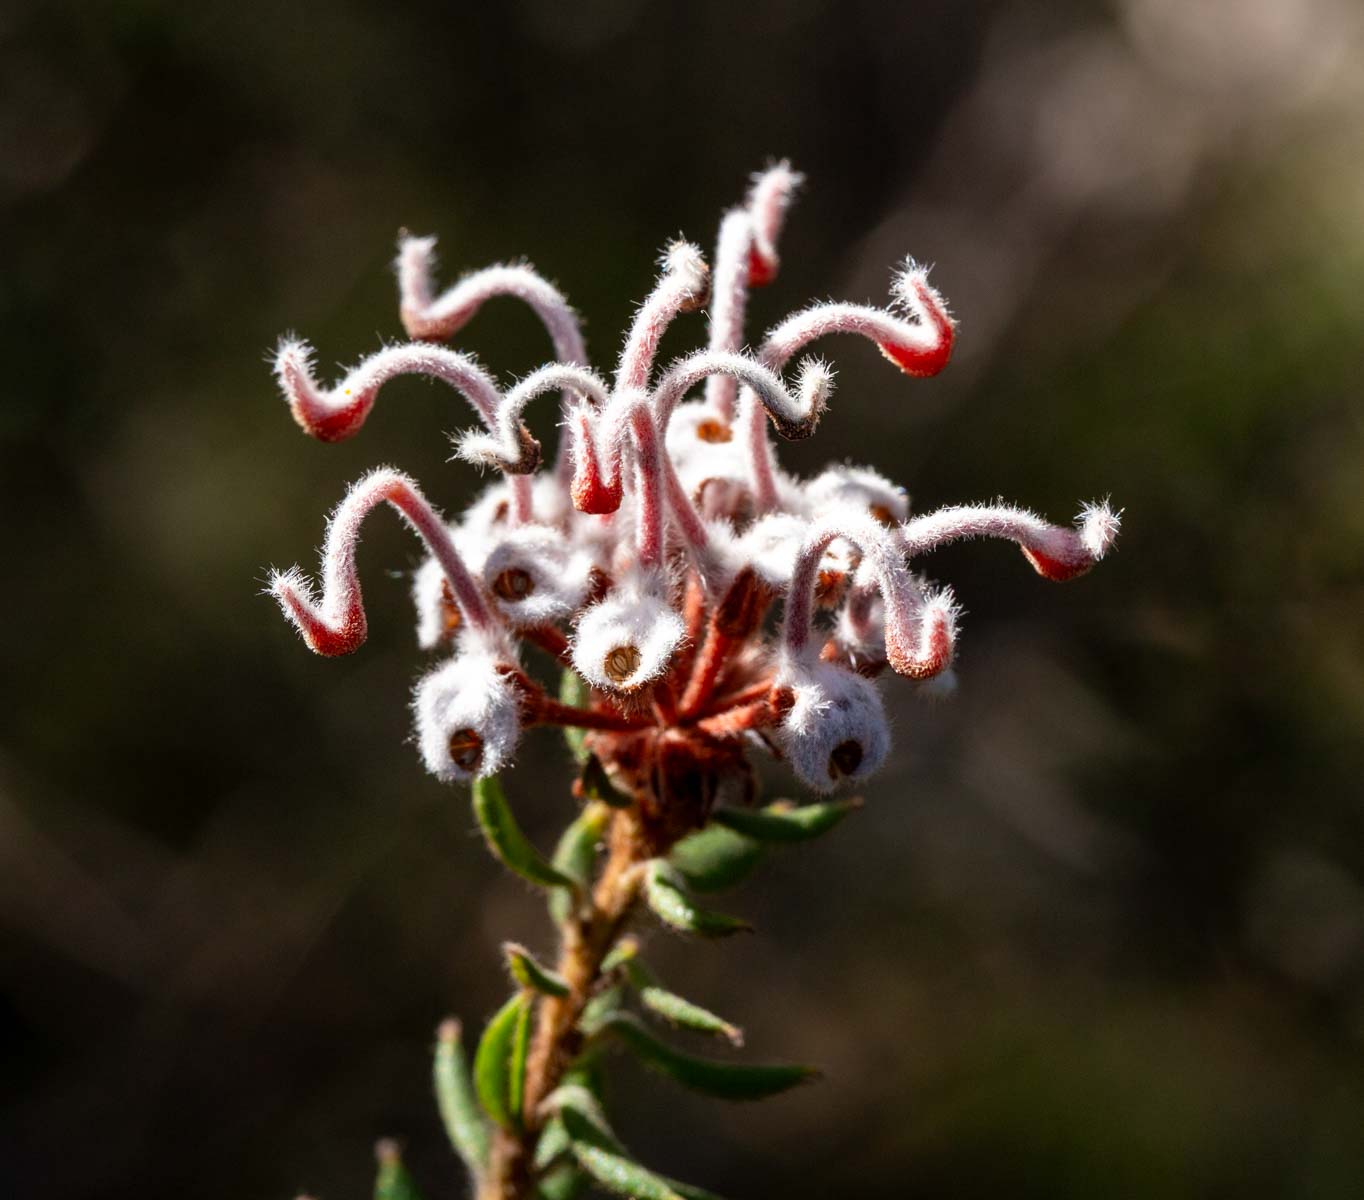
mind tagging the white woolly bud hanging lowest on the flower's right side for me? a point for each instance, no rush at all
(837, 729)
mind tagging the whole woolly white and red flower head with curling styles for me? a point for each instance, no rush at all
(649, 558)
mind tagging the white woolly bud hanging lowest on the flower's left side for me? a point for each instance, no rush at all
(467, 717)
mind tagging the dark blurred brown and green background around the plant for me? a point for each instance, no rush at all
(1100, 929)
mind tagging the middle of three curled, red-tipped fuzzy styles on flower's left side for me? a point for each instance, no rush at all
(336, 414)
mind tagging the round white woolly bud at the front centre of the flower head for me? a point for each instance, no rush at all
(627, 642)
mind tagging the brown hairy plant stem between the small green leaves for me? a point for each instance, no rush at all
(589, 937)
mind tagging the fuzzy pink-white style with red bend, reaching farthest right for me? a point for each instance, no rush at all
(1055, 553)
